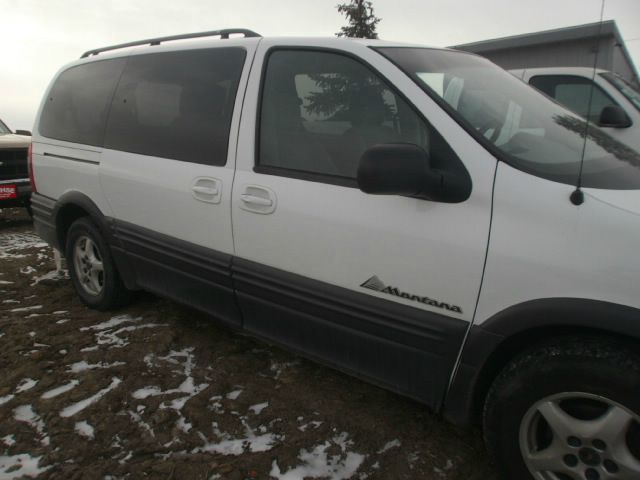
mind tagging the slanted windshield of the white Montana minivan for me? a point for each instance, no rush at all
(516, 122)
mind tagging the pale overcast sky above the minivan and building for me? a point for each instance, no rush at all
(39, 36)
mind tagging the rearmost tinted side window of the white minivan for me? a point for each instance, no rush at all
(78, 104)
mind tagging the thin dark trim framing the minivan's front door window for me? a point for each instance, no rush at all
(324, 177)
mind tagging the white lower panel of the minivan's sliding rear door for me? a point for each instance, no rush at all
(157, 193)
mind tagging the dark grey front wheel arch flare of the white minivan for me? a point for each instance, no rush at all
(492, 344)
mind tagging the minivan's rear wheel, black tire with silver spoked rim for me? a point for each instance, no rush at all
(91, 267)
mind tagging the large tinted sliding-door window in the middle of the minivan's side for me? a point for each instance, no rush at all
(177, 105)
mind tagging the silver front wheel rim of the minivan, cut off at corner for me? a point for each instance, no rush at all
(580, 436)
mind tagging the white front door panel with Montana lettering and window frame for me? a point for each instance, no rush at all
(344, 237)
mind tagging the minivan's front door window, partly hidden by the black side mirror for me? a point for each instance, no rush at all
(320, 111)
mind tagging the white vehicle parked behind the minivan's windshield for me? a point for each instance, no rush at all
(615, 104)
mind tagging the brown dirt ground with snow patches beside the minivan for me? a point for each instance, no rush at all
(157, 390)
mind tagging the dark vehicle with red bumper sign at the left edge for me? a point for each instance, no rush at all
(15, 189)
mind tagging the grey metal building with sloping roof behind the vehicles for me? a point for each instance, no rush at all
(563, 47)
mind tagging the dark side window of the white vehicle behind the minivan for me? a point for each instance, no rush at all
(573, 92)
